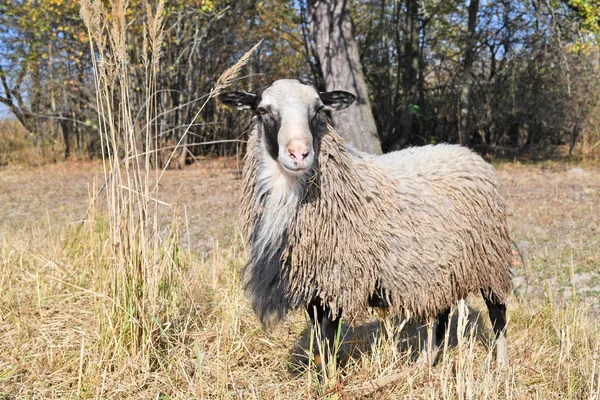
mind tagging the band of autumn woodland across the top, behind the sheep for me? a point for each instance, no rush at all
(505, 77)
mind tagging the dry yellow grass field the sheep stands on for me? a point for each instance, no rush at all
(57, 341)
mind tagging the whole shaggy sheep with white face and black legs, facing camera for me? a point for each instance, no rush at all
(336, 230)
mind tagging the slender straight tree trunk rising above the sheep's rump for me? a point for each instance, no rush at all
(467, 81)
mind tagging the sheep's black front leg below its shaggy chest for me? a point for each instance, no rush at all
(325, 330)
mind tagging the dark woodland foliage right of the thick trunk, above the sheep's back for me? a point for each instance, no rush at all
(532, 84)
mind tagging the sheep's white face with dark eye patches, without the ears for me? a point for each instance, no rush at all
(289, 112)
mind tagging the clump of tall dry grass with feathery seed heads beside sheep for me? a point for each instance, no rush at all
(140, 267)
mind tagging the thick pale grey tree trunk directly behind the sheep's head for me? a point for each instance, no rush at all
(333, 32)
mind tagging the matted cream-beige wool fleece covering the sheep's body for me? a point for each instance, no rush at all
(425, 226)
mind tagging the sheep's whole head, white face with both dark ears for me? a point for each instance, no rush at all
(288, 114)
